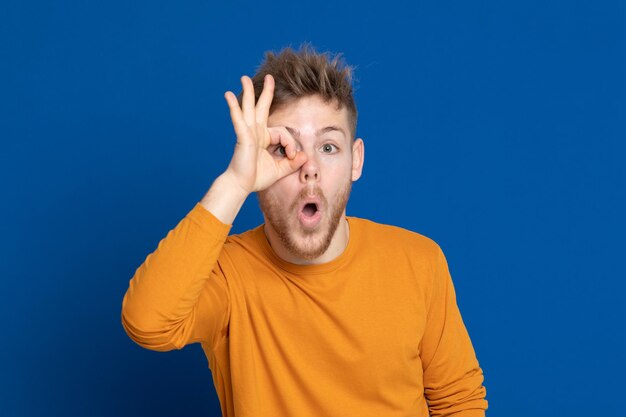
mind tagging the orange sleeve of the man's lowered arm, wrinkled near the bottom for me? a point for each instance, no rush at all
(453, 380)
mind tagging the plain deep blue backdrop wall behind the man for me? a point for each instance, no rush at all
(496, 128)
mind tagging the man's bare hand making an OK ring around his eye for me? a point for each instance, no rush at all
(253, 167)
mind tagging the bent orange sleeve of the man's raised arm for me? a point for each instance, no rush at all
(178, 295)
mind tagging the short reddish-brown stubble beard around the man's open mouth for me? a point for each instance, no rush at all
(302, 243)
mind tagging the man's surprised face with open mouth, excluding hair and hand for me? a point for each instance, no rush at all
(304, 212)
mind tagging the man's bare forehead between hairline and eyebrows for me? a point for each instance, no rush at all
(310, 111)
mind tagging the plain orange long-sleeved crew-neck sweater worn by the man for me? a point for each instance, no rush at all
(375, 332)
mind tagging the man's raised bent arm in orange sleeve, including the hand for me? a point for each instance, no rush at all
(179, 294)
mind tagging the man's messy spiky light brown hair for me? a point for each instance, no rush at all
(305, 72)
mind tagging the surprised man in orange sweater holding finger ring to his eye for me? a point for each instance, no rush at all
(313, 313)
